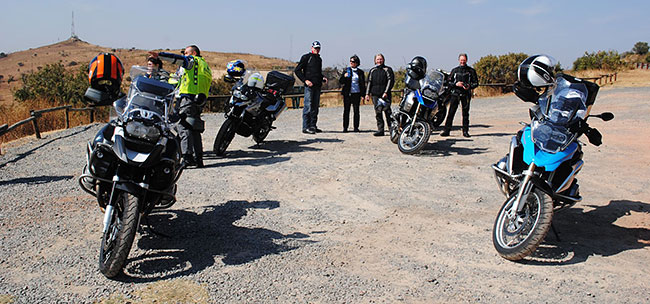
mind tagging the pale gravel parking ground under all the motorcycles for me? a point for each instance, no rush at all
(338, 218)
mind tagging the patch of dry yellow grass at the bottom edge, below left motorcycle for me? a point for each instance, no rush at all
(171, 291)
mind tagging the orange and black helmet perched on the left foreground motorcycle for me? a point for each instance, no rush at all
(105, 73)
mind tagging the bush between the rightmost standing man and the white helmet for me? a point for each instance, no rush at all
(499, 69)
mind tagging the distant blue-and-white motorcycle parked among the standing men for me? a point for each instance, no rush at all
(422, 108)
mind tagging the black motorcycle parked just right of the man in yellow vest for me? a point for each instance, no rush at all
(253, 107)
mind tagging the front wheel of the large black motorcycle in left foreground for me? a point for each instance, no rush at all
(118, 238)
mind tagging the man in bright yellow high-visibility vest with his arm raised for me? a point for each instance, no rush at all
(194, 87)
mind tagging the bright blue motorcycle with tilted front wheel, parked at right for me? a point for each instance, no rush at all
(538, 175)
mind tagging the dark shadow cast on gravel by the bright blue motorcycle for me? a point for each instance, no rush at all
(583, 234)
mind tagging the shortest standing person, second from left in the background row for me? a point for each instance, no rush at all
(354, 84)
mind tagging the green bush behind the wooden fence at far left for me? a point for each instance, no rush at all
(55, 84)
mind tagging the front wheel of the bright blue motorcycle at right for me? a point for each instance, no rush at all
(517, 237)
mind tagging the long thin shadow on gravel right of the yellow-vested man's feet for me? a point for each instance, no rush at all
(266, 153)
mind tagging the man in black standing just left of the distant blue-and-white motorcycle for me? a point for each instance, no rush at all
(380, 81)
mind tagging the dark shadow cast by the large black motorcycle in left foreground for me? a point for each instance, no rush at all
(198, 239)
